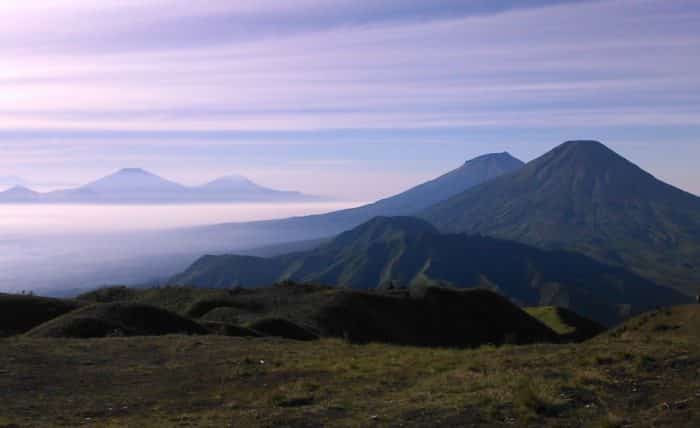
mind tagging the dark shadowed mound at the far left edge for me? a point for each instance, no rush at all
(21, 313)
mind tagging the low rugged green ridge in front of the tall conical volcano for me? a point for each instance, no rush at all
(409, 252)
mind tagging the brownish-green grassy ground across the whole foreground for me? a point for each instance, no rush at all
(646, 373)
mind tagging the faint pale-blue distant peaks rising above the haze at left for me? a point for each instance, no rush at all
(135, 185)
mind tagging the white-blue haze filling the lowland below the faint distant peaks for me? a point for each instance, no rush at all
(71, 246)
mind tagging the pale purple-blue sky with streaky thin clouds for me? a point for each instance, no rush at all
(357, 99)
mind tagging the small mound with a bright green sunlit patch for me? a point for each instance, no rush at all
(570, 326)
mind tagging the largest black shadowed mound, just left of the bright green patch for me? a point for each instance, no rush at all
(438, 317)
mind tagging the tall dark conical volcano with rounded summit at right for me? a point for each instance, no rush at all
(584, 197)
